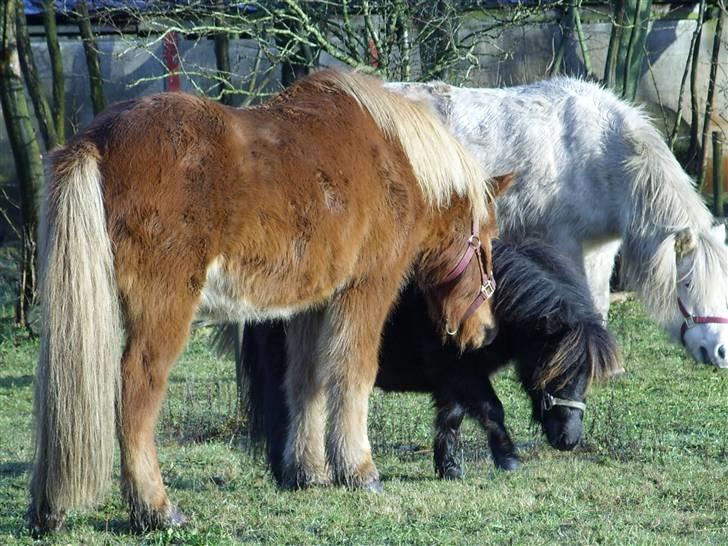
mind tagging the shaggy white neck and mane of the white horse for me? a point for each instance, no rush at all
(664, 201)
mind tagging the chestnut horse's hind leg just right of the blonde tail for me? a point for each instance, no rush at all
(155, 340)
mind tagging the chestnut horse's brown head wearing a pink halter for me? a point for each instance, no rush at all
(460, 282)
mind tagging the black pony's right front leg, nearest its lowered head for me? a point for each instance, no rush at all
(491, 416)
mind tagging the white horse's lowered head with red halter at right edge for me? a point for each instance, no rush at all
(701, 310)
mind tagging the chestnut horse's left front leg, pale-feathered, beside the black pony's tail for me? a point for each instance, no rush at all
(304, 460)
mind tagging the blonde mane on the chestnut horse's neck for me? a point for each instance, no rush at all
(441, 164)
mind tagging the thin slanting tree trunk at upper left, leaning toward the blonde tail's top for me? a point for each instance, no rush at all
(43, 112)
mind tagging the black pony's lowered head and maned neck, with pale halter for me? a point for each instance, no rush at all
(555, 334)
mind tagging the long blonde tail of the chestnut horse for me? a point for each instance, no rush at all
(78, 376)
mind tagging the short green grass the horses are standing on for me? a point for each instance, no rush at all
(653, 468)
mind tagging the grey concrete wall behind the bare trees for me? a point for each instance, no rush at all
(508, 57)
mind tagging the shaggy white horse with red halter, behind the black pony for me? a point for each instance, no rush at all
(594, 174)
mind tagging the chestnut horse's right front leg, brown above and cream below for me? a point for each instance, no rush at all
(351, 336)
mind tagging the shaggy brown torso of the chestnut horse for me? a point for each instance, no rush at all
(304, 192)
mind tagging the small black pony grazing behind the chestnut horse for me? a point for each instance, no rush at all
(547, 324)
